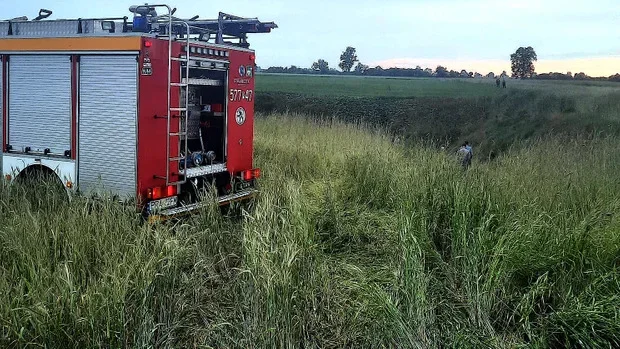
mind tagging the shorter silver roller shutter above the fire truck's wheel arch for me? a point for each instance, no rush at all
(40, 102)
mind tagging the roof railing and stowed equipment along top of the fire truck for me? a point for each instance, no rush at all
(222, 30)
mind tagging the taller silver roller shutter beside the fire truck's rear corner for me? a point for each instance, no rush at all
(107, 124)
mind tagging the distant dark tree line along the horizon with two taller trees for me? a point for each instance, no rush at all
(522, 67)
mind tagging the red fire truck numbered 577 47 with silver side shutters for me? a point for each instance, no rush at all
(156, 109)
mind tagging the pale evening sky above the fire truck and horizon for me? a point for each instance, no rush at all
(476, 35)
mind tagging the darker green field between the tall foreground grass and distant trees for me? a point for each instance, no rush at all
(449, 111)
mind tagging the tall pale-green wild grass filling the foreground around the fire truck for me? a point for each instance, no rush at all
(354, 242)
